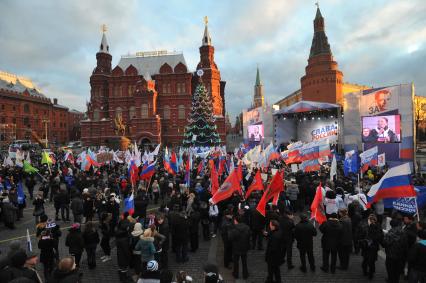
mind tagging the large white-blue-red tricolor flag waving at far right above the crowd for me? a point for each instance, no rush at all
(396, 183)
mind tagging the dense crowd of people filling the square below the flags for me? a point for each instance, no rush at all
(168, 216)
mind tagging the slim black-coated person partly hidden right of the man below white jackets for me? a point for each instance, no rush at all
(345, 246)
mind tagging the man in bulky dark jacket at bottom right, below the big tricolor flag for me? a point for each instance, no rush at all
(396, 245)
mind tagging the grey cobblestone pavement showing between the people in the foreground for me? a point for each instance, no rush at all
(209, 251)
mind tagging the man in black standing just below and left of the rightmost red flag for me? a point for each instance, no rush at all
(304, 233)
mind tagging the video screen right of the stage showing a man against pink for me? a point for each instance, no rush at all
(381, 129)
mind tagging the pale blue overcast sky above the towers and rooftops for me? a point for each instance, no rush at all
(376, 43)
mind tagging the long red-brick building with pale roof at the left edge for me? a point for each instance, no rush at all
(26, 113)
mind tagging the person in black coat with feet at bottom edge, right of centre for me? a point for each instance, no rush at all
(274, 251)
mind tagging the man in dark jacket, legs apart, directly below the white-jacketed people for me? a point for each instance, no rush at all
(331, 235)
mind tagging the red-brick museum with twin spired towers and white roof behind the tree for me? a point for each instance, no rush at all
(151, 92)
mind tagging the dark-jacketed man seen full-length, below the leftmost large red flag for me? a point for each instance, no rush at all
(239, 235)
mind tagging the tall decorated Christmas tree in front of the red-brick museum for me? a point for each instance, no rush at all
(201, 130)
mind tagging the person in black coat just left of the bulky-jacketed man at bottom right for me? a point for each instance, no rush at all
(371, 236)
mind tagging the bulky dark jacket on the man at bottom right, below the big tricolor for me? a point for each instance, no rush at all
(395, 243)
